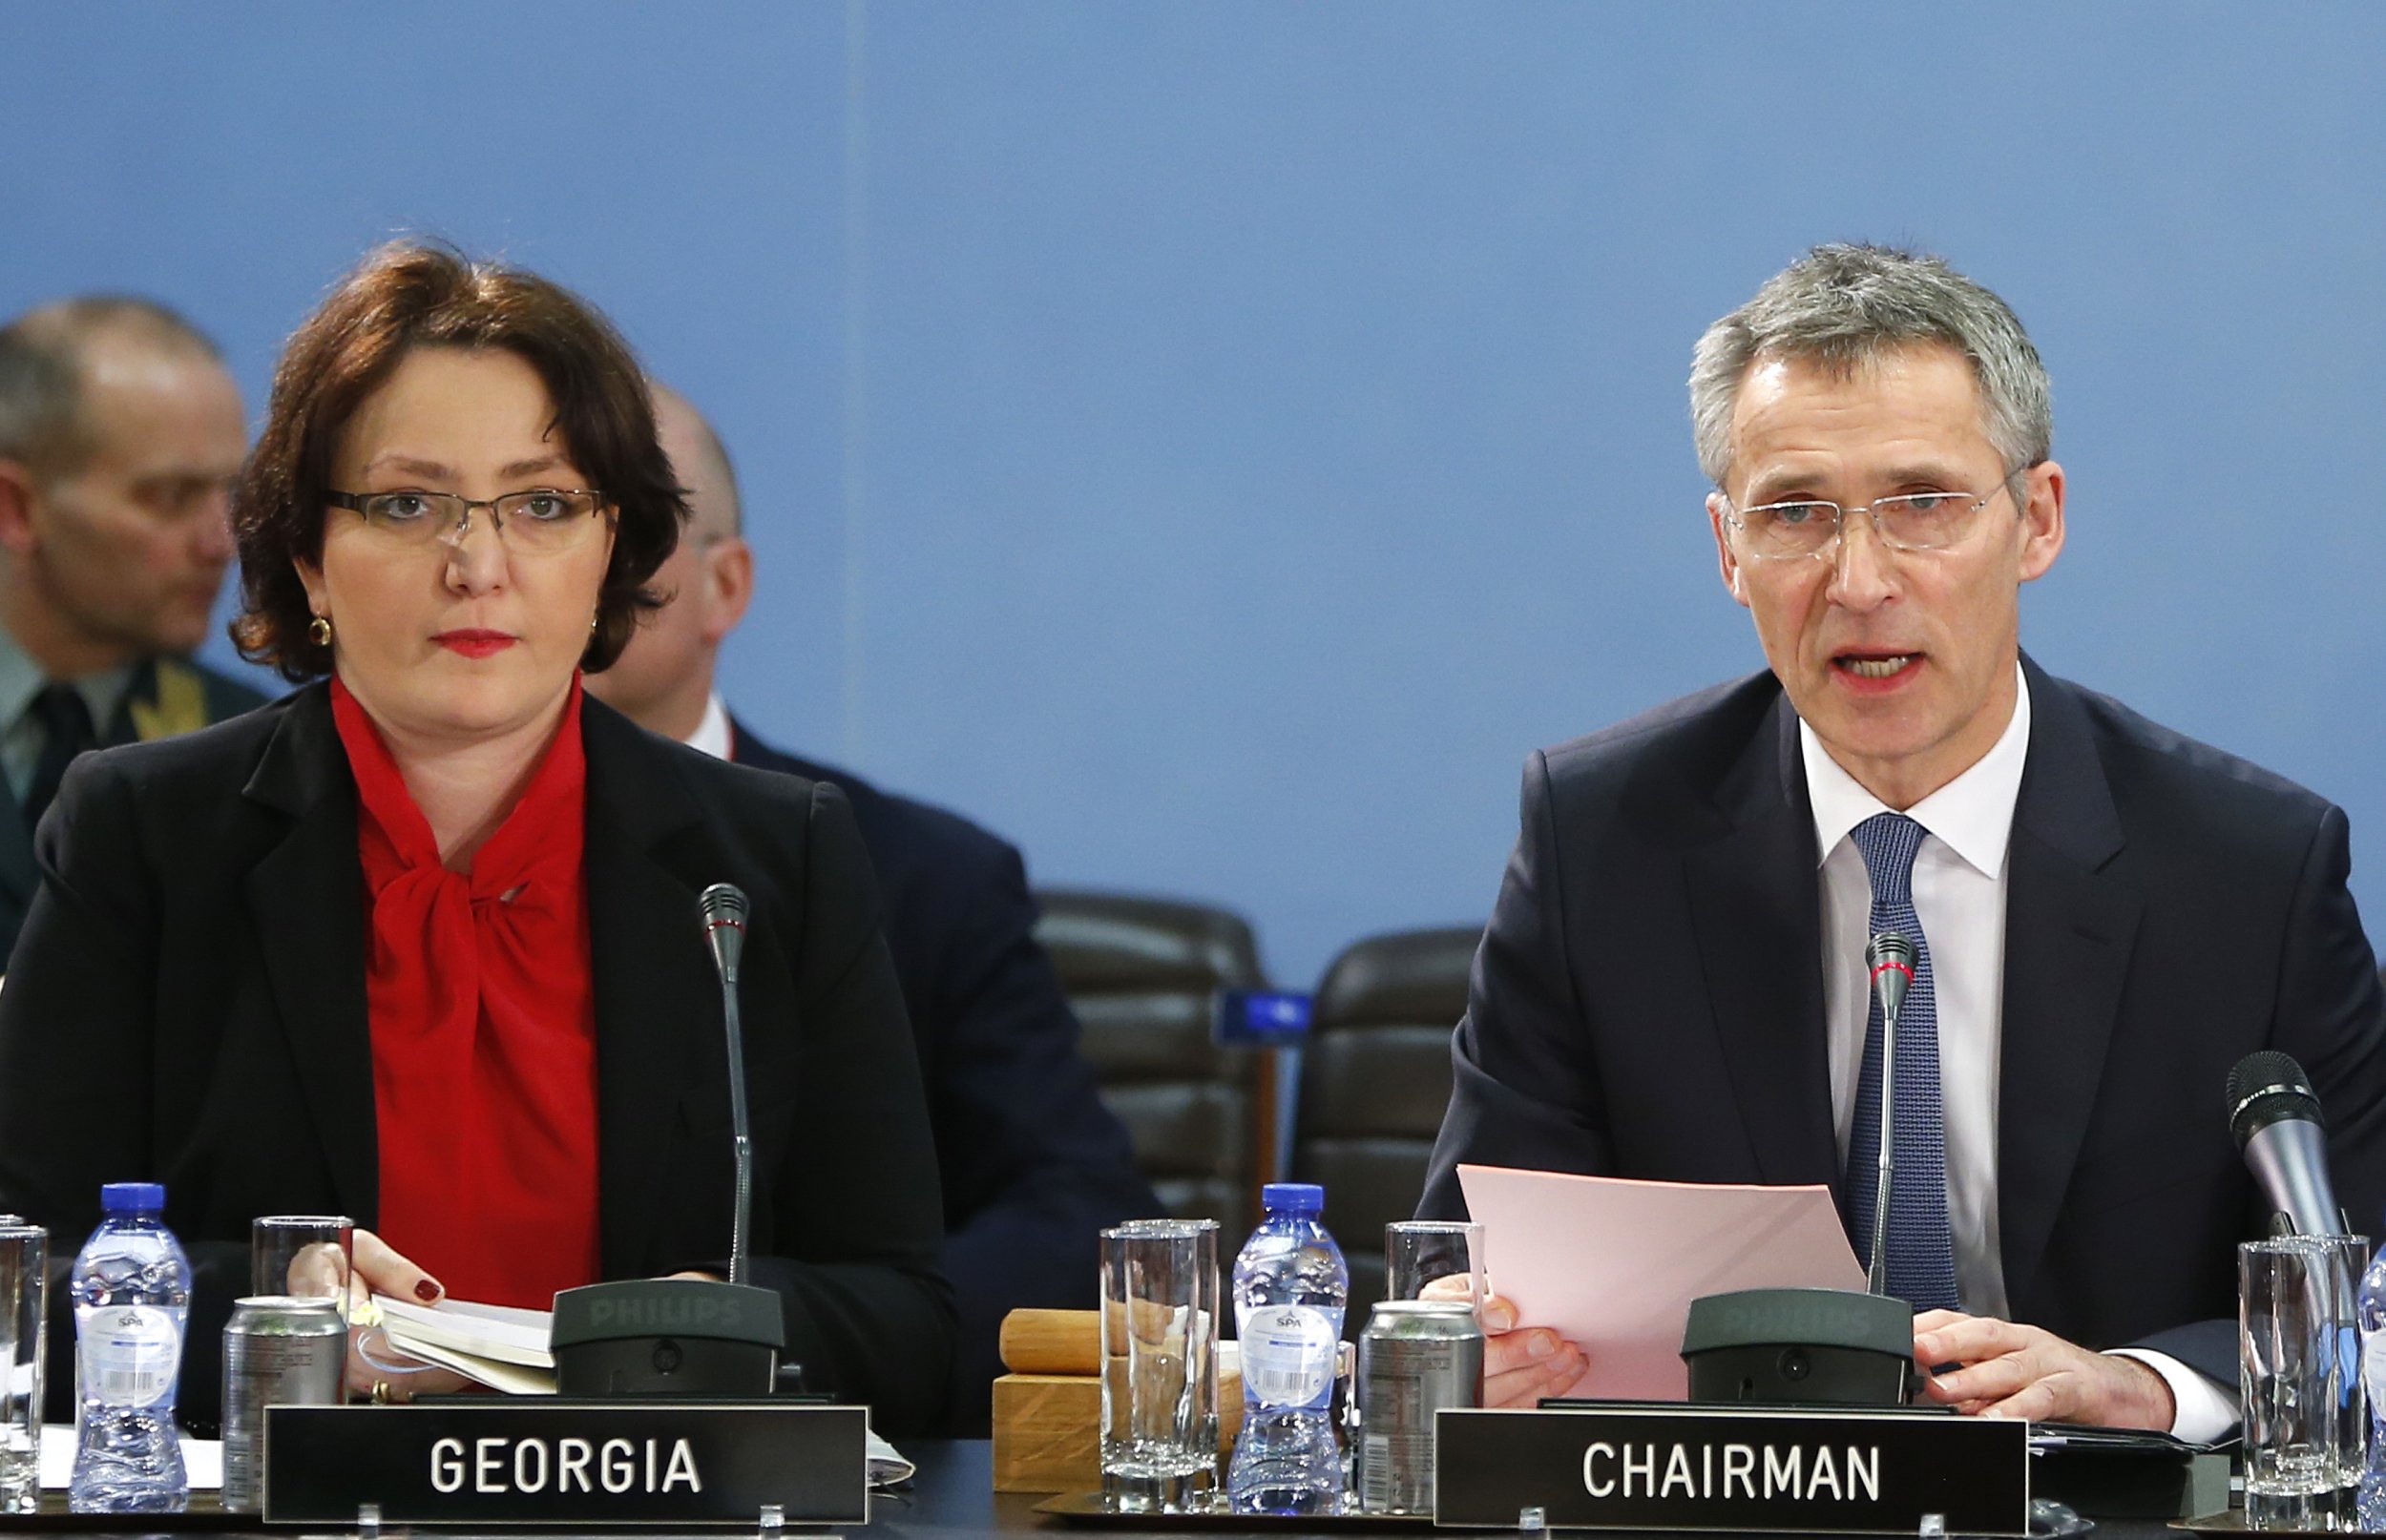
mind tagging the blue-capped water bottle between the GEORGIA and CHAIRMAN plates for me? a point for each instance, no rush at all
(1290, 1296)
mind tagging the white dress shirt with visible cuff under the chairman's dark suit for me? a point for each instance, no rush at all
(1960, 900)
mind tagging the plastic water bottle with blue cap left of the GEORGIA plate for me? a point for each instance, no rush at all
(132, 1298)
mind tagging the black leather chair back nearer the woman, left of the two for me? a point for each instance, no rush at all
(1144, 976)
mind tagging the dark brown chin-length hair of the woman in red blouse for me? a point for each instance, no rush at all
(433, 297)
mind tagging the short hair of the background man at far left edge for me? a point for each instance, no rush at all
(42, 371)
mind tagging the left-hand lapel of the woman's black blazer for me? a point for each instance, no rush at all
(309, 902)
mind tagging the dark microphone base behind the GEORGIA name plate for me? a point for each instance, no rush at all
(667, 1336)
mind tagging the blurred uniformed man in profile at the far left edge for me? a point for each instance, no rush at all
(120, 435)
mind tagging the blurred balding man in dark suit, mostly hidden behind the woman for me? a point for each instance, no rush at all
(1030, 1157)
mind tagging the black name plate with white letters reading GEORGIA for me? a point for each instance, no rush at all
(569, 1463)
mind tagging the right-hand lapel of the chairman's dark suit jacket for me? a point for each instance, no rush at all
(2067, 938)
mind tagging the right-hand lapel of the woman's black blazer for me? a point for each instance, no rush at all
(653, 993)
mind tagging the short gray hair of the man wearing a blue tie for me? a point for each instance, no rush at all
(1846, 306)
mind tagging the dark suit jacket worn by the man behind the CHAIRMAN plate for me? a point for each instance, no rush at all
(1650, 1000)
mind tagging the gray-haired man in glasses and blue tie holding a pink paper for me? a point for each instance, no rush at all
(2106, 914)
